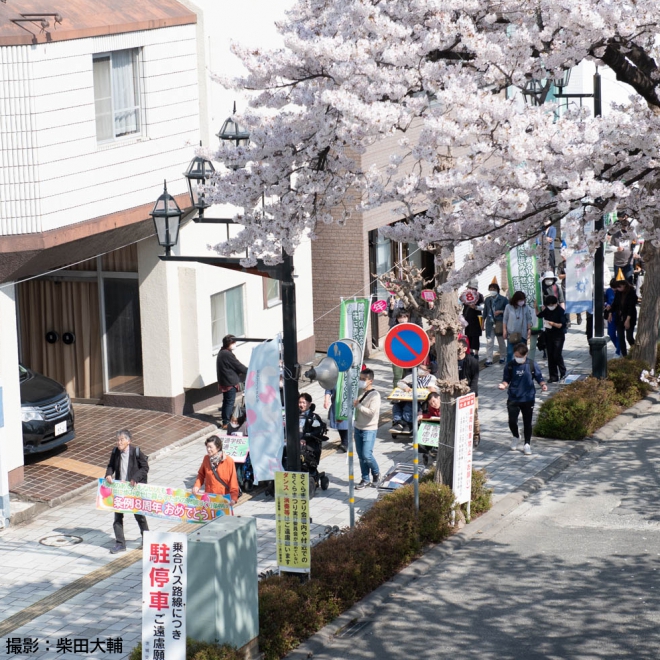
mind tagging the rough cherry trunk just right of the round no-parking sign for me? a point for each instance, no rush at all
(447, 327)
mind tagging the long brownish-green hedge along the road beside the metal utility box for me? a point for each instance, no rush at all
(349, 566)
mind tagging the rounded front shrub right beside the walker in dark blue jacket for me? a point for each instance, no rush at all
(577, 410)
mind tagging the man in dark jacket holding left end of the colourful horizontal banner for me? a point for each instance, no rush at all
(127, 463)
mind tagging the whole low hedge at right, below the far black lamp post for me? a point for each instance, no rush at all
(581, 408)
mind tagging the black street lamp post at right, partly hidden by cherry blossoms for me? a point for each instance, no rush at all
(535, 94)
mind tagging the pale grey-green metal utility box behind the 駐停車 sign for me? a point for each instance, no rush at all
(223, 600)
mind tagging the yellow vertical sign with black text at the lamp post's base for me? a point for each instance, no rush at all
(292, 521)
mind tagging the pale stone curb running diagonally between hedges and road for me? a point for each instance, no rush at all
(496, 516)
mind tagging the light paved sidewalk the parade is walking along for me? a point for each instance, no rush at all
(81, 591)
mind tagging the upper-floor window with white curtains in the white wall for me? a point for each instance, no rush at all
(117, 94)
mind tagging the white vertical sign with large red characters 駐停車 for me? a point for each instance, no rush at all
(164, 579)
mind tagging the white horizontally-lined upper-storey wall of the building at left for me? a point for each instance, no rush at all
(57, 174)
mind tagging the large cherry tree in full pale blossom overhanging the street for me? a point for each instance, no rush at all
(441, 80)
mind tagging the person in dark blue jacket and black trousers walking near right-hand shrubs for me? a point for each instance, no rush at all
(519, 376)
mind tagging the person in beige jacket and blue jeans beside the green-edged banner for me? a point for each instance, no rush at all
(367, 411)
